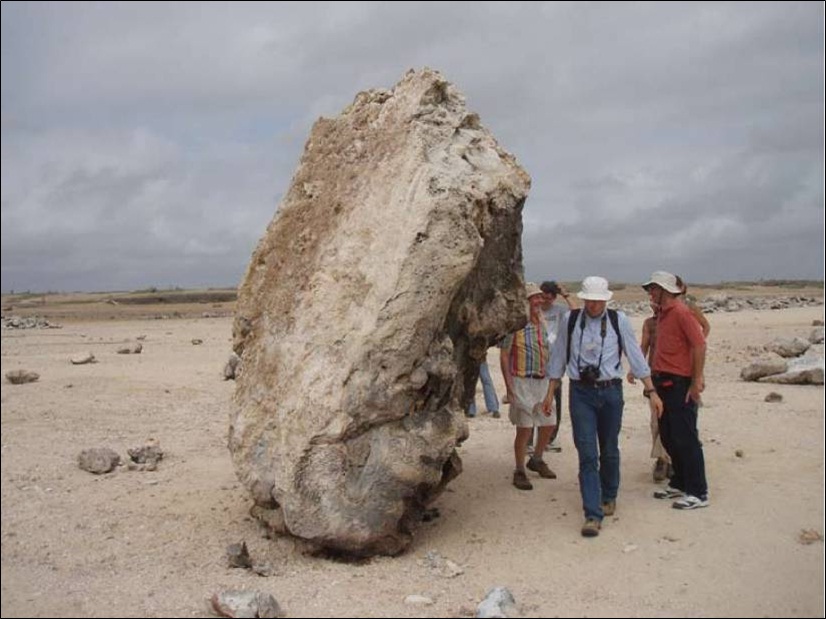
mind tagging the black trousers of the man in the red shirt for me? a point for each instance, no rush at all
(678, 432)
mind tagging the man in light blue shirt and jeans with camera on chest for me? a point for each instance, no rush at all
(588, 346)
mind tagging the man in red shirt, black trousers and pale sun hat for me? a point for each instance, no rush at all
(679, 361)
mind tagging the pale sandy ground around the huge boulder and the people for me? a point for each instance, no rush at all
(153, 543)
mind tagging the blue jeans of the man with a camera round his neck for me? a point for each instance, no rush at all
(596, 418)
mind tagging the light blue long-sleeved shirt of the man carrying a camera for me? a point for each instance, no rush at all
(587, 343)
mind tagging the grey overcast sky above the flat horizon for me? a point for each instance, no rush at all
(149, 144)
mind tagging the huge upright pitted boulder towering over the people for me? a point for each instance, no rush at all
(392, 264)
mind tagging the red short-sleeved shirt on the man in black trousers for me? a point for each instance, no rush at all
(677, 333)
